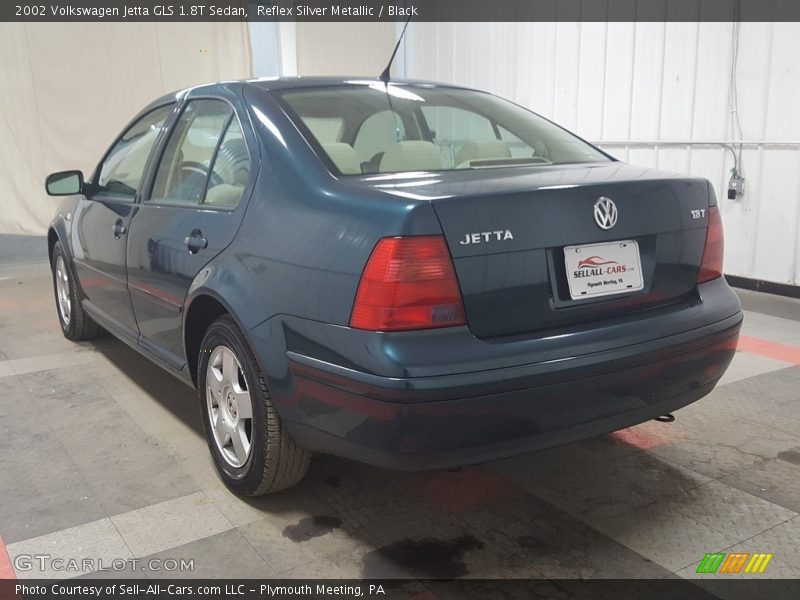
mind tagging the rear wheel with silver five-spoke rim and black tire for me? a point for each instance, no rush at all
(253, 452)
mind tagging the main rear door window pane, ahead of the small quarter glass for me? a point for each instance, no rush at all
(185, 170)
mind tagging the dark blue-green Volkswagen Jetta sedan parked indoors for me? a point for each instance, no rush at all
(408, 274)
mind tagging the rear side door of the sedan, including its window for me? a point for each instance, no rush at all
(191, 213)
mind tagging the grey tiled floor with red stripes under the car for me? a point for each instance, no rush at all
(101, 456)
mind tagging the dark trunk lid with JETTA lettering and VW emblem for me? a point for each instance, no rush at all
(507, 230)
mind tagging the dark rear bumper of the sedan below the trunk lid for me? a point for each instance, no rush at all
(469, 416)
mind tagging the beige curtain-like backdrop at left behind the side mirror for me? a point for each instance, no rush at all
(67, 89)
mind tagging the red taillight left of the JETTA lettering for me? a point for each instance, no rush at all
(408, 283)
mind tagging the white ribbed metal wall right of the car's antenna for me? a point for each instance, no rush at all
(655, 94)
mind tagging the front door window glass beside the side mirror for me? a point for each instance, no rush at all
(122, 170)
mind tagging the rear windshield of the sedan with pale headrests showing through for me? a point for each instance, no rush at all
(367, 129)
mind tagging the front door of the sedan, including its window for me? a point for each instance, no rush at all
(101, 221)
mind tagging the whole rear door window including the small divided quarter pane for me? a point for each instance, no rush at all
(205, 160)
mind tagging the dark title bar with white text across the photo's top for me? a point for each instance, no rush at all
(399, 10)
